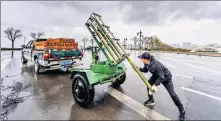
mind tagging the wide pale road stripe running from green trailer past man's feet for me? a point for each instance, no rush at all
(136, 106)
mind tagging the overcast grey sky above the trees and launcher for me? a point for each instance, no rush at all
(172, 21)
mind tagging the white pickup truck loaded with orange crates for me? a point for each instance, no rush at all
(52, 54)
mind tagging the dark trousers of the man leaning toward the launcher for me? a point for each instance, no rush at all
(168, 84)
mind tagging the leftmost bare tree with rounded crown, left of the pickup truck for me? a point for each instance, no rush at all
(12, 34)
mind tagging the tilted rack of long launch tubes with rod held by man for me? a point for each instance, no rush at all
(115, 53)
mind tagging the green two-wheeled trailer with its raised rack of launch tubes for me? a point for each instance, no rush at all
(100, 72)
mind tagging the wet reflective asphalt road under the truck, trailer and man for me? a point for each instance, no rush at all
(50, 96)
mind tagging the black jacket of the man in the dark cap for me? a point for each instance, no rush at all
(158, 70)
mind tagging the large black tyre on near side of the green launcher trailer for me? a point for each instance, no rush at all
(83, 92)
